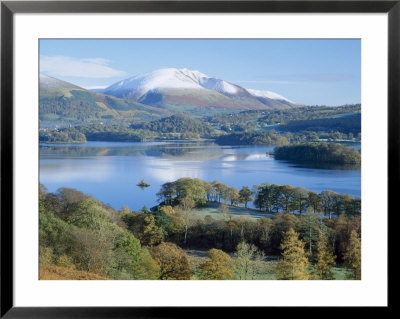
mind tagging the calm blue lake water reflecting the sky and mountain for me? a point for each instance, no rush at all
(109, 171)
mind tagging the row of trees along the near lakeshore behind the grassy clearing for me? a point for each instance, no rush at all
(270, 198)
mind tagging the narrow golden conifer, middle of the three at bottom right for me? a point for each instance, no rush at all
(325, 258)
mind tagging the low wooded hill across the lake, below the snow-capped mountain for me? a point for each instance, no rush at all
(177, 124)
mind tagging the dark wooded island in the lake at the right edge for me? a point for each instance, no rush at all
(318, 152)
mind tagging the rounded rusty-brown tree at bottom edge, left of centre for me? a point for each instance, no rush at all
(172, 261)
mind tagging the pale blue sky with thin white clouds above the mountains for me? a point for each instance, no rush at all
(312, 72)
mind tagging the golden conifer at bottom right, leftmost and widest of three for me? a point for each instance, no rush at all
(294, 263)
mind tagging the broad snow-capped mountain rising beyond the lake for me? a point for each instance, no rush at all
(185, 90)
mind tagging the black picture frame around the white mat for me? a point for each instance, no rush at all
(9, 8)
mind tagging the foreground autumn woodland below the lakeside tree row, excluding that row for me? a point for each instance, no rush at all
(79, 232)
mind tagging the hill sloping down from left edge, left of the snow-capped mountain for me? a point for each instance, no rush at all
(62, 103)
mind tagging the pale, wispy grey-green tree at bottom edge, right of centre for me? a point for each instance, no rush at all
(247, 261)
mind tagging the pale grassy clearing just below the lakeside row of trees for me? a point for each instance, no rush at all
(212, 209)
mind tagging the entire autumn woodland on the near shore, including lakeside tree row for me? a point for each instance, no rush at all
(80, 234)
